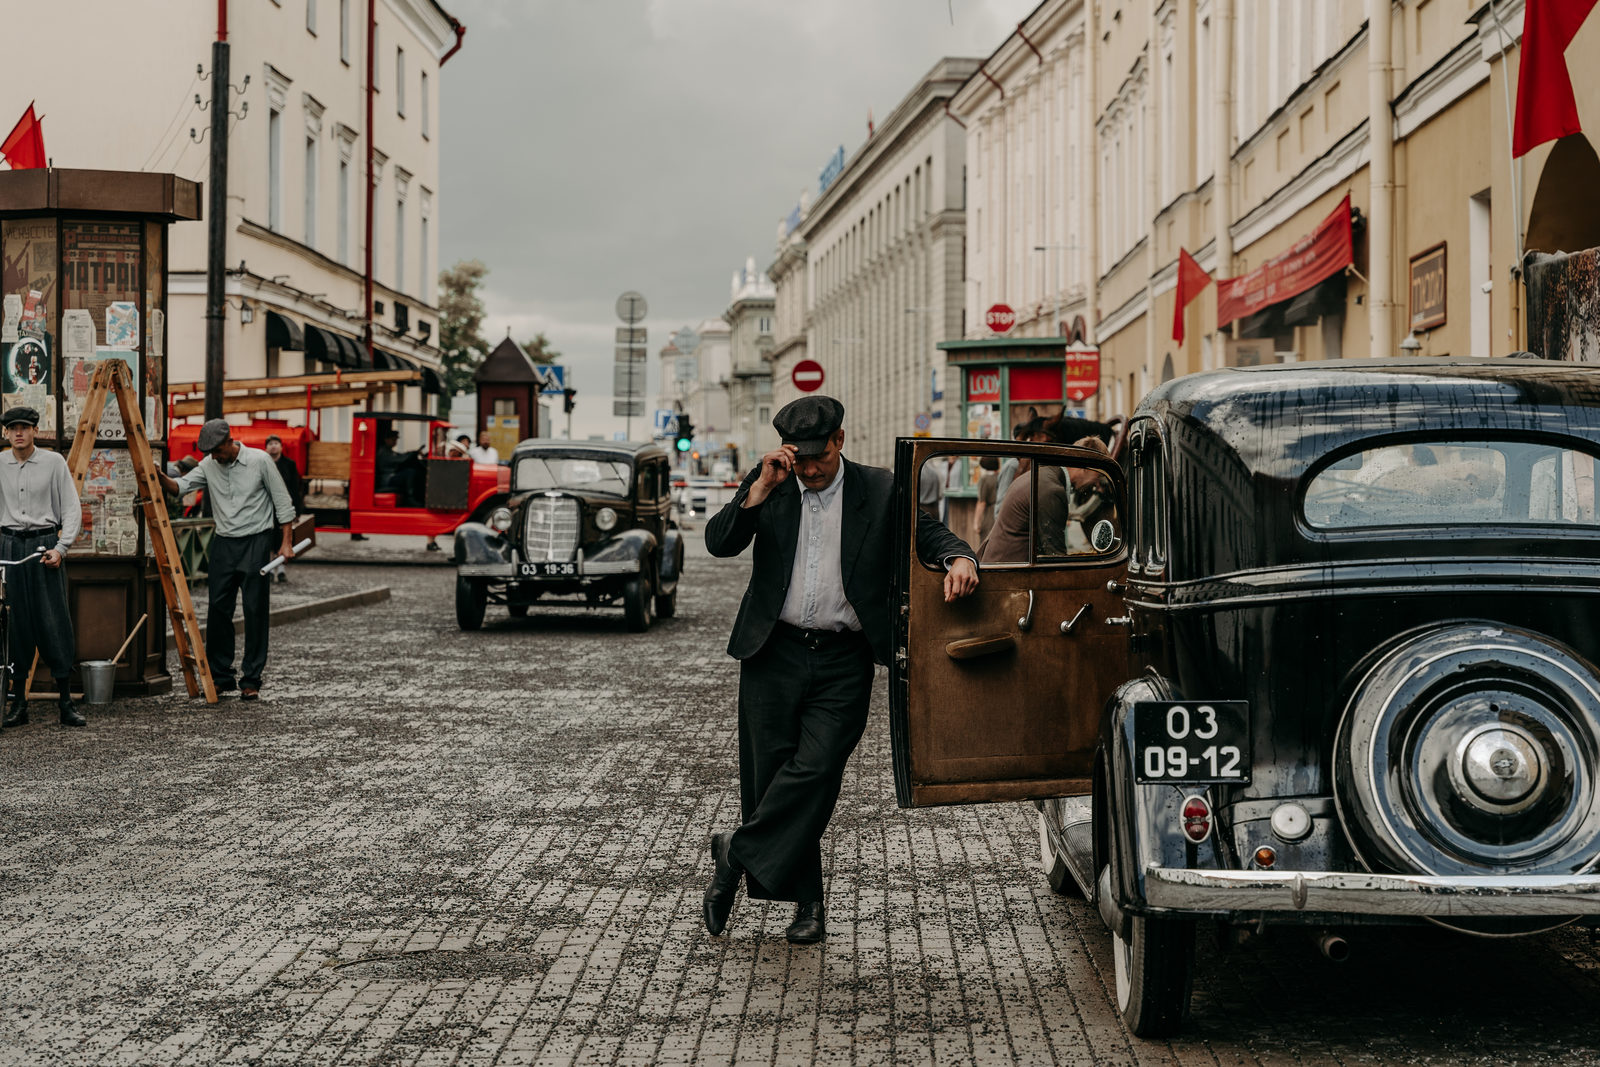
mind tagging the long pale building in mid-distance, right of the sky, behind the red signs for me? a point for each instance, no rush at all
(881, 252)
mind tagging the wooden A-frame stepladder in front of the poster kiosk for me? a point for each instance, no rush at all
(113, 377)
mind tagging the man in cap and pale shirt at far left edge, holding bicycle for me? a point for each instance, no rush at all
(39, 510)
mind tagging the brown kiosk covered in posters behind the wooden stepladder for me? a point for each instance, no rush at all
(84, 279)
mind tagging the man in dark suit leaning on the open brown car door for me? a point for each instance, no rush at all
(814, 623)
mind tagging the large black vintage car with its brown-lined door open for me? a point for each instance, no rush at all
(1327, 661)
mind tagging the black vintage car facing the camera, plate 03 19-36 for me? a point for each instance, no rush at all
(588, 521)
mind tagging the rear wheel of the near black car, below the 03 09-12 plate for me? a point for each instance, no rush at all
(1156, 967)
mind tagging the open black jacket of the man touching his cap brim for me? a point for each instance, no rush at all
(866, 554)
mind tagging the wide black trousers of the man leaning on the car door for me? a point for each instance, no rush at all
(802, 709)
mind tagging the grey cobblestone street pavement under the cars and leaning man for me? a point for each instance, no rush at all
(430, 847)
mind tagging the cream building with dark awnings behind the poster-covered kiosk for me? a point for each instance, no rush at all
(297, 225)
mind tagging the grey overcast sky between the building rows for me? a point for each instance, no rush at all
(596, 146)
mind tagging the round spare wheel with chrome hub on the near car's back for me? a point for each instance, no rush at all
(1473, 749)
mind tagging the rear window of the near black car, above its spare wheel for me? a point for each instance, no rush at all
(1452, 484)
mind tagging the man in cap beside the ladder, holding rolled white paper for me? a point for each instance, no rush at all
(255, 519)
